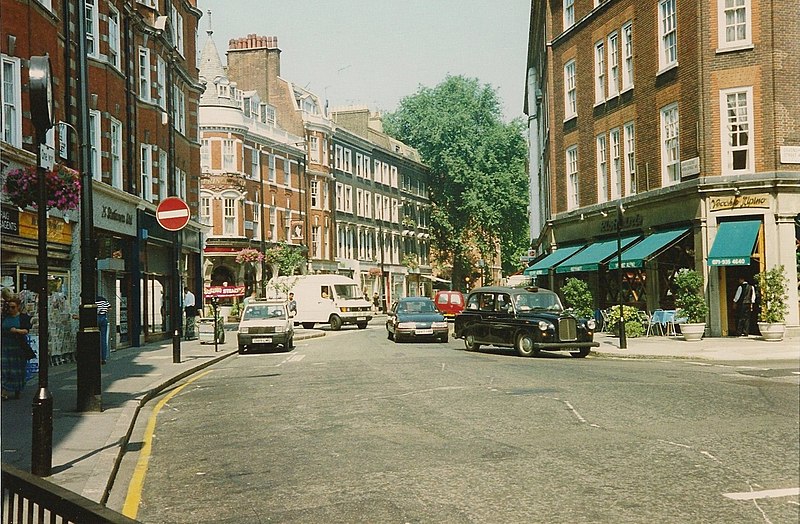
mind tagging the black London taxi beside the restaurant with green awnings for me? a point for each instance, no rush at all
(527, 319)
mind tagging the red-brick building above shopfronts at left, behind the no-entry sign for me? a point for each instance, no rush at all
(142, 93)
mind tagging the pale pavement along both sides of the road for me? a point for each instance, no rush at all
(88, 447)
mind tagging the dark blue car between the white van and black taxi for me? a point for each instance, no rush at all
(414, 318)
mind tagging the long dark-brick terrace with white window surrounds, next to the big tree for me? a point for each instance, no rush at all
(382, 208)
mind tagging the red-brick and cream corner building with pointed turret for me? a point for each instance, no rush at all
(253, 185)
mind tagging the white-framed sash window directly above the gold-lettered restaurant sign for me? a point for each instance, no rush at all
(737, 143)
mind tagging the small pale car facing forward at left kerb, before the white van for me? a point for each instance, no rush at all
(265, 324)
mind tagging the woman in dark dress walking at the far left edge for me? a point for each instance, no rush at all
(15, 328)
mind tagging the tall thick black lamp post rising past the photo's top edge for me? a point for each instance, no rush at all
(87, 354)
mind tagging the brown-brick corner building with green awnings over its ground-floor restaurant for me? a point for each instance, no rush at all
(667, 124)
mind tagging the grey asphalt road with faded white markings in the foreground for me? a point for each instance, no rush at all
(355, 428)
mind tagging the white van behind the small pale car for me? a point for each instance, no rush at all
(325, 299)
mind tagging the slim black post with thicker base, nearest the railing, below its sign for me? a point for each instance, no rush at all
(42, 438)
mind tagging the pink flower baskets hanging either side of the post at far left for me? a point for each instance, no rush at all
(21, 187)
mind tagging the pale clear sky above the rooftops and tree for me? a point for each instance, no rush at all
(375, 52)
